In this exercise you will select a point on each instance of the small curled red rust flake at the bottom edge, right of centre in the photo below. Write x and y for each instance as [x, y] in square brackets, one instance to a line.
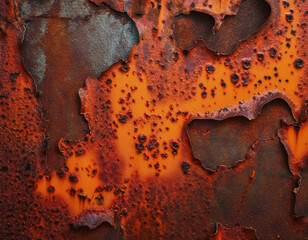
[236, 233]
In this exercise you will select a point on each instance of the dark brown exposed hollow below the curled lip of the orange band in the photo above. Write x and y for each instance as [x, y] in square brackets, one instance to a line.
[215, 143]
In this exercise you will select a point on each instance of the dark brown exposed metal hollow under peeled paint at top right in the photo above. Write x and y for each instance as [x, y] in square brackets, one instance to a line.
[250, 17]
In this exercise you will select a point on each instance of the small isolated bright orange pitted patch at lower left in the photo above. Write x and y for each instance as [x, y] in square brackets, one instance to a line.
[85, 194]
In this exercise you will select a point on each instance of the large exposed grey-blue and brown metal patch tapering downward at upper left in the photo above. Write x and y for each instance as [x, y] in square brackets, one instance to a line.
[64, 43]
